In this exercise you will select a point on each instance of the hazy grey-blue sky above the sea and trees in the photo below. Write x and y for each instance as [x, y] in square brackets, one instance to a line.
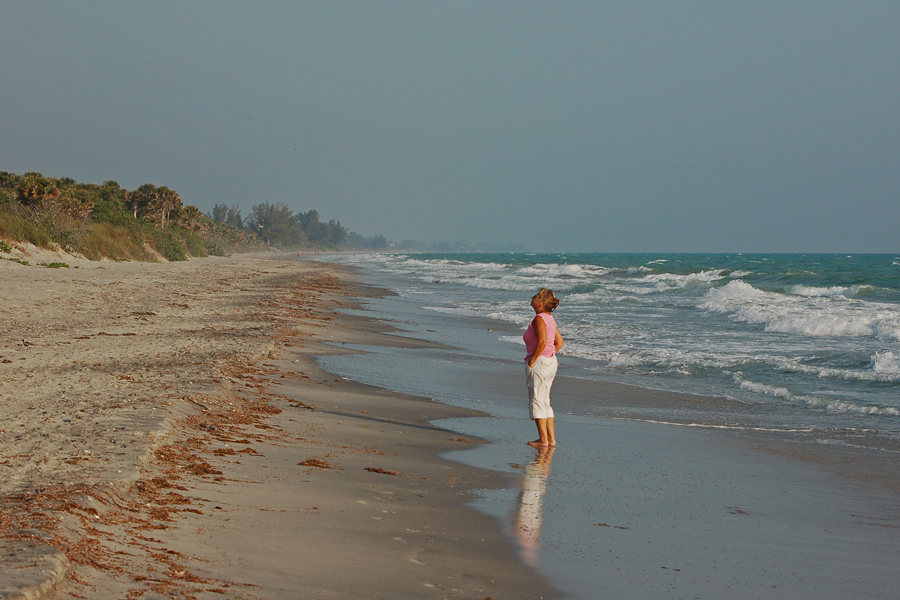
[608, 126]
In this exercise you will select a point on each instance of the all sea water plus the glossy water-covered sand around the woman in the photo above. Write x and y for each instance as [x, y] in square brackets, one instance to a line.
[677, 369]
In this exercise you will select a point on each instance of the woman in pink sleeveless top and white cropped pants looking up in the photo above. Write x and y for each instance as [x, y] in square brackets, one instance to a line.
[542, 342]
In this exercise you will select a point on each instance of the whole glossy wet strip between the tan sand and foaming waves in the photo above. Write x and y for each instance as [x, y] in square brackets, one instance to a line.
[644, 509]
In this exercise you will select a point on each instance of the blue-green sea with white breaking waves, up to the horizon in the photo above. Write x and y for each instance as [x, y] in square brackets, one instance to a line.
[805, 342]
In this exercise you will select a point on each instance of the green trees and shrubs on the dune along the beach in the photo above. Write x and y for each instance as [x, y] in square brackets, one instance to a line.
[108, 221]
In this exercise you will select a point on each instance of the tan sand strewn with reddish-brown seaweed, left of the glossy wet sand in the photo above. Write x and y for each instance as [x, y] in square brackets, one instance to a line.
[165, 432]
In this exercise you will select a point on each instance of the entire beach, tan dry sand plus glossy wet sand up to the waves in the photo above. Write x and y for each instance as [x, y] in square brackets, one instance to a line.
[263, 427]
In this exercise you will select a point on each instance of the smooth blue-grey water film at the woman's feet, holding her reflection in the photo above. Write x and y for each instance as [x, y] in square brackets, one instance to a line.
[633, 510]
